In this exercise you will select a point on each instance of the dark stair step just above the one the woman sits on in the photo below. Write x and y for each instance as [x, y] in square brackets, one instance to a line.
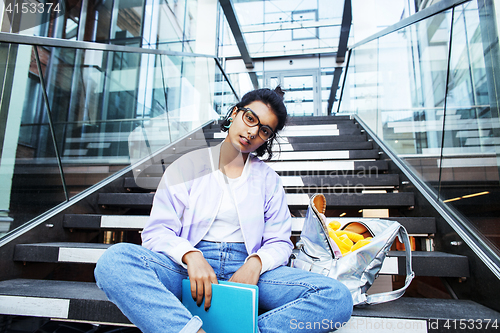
[424, 263]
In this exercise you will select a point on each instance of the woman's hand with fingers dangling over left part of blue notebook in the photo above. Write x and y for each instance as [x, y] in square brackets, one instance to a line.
[201, 276]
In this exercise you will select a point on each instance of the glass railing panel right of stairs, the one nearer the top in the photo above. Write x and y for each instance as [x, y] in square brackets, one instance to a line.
[397, 87]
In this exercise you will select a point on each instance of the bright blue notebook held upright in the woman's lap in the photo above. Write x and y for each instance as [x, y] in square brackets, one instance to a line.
[234, 307]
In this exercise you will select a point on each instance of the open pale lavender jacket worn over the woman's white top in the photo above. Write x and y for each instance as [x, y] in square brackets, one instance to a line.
[188, 199]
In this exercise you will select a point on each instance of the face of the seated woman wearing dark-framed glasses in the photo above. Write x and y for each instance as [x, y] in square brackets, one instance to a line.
[245, 138]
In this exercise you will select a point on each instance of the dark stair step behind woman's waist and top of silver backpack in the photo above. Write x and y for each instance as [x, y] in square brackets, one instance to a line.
[413, 225]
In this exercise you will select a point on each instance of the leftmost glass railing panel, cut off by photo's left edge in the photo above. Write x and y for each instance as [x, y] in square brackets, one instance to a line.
[29, 174]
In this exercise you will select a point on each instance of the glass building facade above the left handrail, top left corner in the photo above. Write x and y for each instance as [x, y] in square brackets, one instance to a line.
[175, 25]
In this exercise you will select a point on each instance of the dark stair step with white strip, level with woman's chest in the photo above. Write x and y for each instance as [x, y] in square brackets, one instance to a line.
[324, 181]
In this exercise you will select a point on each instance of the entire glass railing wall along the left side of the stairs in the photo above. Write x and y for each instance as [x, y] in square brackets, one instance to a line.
[104, 111]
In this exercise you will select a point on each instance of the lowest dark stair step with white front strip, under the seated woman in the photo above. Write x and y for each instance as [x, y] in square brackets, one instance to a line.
[84, 301]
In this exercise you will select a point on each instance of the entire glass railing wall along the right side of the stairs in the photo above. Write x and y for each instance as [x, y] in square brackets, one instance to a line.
[429, 92]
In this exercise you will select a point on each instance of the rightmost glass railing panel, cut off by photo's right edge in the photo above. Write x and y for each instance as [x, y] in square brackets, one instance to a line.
[469, 167]
